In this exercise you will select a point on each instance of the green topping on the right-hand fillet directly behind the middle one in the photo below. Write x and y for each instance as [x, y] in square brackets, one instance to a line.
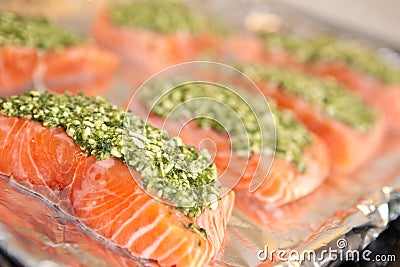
[327, 95]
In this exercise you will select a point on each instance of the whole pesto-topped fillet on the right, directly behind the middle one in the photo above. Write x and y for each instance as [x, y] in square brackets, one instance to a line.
[327, 109]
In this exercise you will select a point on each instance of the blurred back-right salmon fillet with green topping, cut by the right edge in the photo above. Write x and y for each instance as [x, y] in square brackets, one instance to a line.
[350, 63]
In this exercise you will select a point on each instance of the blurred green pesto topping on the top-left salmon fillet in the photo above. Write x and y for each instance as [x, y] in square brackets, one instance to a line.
[34, 32]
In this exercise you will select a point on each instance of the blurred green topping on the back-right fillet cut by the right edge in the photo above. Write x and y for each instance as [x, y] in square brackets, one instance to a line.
[359, 56]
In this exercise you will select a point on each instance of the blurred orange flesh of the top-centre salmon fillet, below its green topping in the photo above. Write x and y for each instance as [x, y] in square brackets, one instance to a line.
[143, 52]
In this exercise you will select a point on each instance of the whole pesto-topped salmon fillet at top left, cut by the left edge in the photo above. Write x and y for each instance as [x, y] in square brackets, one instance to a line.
[59, 63]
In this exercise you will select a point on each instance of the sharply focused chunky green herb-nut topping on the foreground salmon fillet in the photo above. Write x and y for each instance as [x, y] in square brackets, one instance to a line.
[172, 170]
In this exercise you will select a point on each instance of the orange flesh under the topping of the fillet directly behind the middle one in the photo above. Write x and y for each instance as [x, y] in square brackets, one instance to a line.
[348, 148]
